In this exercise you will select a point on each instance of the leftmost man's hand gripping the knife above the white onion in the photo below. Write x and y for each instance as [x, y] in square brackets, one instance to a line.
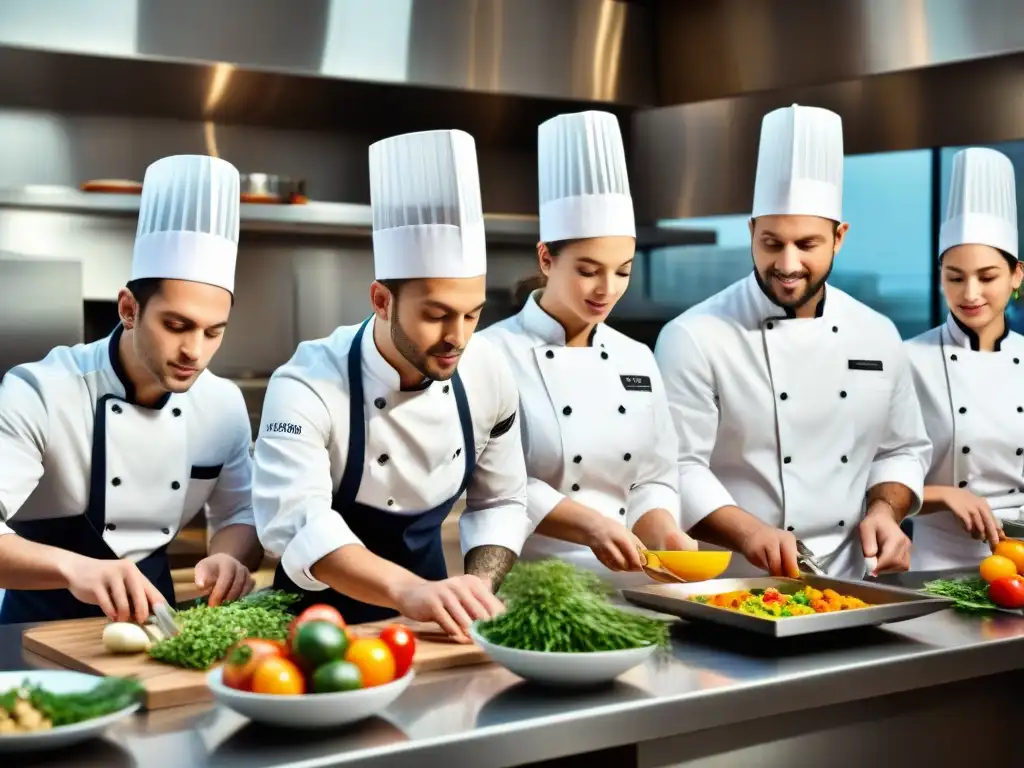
[118, 587]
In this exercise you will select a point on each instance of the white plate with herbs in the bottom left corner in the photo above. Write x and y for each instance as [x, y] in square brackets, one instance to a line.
[58, 682]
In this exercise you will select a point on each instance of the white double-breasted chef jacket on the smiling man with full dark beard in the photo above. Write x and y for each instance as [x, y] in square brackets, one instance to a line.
[792, 420]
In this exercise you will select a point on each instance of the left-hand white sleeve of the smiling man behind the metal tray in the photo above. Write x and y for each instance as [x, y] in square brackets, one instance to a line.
[690, 388]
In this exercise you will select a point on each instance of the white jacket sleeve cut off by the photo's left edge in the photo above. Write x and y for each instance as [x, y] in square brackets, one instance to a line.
[24, 433]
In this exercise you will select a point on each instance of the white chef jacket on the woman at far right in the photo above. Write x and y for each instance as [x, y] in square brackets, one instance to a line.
[973, 404]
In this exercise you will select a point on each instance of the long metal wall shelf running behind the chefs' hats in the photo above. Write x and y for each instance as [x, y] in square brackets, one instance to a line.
[340, 220]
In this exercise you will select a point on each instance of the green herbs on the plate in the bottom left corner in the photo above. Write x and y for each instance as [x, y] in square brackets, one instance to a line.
[110, 696]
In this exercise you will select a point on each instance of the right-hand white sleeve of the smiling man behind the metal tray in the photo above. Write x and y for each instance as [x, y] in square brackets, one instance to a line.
[906, 451]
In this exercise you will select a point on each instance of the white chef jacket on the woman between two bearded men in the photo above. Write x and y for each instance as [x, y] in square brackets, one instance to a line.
[596, 429]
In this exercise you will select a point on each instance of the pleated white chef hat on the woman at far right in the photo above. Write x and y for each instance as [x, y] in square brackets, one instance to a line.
[983, 205]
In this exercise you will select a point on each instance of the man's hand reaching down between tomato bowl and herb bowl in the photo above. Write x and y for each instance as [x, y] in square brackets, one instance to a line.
[454, 604]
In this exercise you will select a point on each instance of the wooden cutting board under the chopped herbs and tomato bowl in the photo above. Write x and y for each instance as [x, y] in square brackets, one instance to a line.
[78, 646]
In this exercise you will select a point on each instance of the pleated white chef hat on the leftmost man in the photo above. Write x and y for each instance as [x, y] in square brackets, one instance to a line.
[189, 222]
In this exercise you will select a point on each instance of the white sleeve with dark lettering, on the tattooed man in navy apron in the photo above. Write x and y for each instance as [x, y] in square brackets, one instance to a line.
[292, 486]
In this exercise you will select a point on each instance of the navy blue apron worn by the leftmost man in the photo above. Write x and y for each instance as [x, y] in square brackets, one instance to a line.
[82, 534]
